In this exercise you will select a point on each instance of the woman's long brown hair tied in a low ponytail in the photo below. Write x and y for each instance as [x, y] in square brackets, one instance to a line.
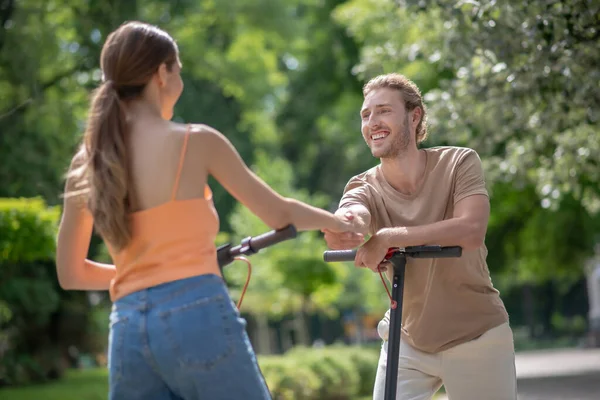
[130, 57]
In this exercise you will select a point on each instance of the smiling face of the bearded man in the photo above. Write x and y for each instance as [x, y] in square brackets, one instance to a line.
[385, 123]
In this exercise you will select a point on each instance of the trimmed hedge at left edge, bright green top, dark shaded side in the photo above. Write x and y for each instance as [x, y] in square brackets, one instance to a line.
[35, 314]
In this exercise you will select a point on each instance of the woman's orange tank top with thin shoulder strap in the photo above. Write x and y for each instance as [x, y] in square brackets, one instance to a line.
[172, 241]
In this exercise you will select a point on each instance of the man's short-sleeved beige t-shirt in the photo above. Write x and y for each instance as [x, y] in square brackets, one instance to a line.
[447, 301]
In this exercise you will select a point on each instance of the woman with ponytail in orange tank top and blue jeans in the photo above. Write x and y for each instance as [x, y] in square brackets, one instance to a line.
[142, 181]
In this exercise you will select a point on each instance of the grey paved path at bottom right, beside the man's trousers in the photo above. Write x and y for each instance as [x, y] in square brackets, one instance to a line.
[565, 374]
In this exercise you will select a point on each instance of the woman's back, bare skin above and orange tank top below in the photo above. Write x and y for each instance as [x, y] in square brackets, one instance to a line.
[173, 220]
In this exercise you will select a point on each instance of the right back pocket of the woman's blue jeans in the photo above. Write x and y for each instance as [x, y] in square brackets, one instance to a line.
[200, 334]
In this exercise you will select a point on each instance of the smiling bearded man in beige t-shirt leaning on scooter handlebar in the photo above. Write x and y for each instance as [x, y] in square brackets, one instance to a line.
[455, 327]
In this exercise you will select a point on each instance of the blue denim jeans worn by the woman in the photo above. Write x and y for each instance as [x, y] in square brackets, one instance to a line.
[182, 340]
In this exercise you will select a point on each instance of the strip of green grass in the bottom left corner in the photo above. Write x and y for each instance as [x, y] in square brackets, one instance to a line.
[87, 384]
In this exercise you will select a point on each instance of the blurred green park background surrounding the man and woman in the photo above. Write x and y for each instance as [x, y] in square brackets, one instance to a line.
[517, 81]
